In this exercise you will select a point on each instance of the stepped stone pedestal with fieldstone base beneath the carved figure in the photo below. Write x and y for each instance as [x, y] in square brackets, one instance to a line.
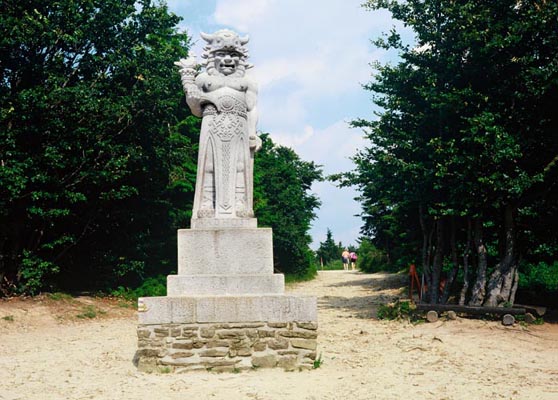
[226, 309]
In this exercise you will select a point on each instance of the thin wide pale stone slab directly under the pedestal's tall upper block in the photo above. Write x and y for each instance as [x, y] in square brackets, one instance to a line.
[194, 285]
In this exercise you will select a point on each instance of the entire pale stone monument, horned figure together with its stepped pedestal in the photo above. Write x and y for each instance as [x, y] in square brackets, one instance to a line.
[225, 287]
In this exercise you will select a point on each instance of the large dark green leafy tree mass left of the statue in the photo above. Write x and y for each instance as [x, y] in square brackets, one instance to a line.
[90, 117]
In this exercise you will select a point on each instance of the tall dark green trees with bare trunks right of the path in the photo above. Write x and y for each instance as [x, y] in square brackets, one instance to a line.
[464, 146]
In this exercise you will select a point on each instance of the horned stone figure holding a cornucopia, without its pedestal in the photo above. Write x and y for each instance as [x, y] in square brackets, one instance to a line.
[226, 99]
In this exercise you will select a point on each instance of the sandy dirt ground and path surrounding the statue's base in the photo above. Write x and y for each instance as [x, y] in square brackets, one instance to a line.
[47, 354]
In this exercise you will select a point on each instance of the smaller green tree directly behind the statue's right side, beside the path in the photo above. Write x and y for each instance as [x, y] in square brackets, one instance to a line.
[283, 201]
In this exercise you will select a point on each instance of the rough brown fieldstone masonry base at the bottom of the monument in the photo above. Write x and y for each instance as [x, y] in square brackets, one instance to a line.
[226, 346]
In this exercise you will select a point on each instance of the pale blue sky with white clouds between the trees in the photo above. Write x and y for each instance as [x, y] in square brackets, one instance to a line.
[310, 60]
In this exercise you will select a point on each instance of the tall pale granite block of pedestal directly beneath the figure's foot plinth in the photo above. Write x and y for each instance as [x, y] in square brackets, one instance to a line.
[225, 251]
